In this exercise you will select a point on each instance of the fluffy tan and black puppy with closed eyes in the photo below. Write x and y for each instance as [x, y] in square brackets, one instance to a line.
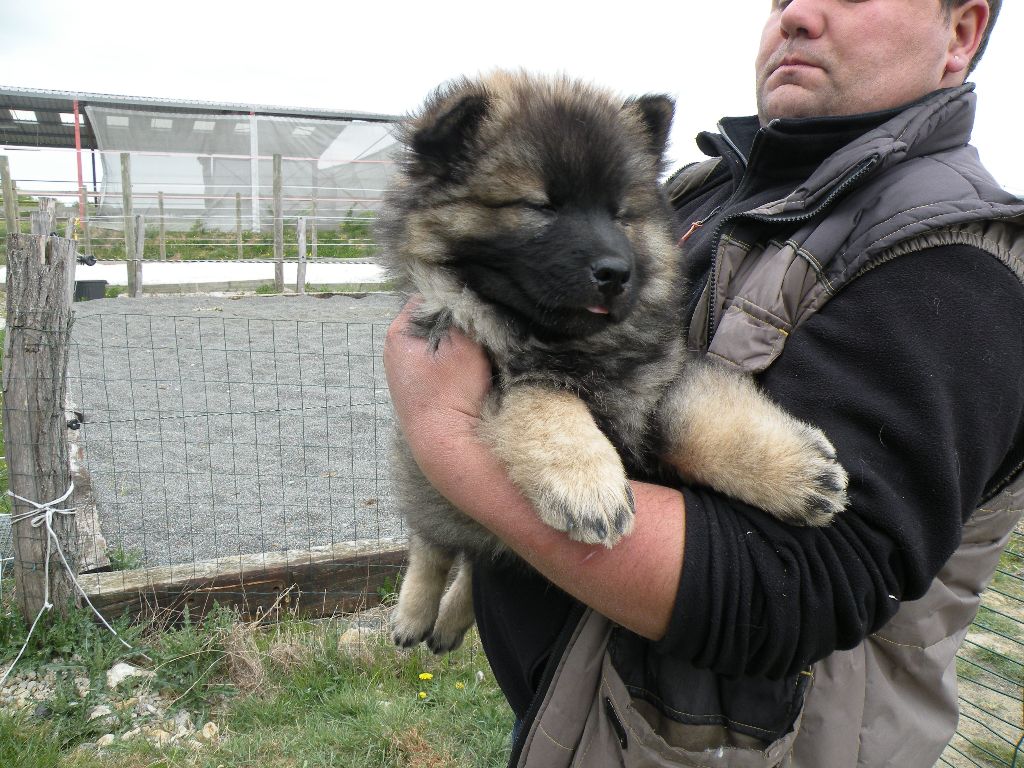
[529, 215]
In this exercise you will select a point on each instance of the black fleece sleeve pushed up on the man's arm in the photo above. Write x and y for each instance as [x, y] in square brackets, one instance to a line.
[916, 372]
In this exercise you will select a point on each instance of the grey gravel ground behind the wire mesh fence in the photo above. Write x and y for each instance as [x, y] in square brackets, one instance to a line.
[221, 425]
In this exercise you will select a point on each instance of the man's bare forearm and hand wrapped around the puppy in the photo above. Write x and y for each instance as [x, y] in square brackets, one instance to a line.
[438, 400]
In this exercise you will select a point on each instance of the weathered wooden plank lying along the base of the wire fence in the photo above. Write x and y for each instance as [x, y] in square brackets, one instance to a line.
[324, 581]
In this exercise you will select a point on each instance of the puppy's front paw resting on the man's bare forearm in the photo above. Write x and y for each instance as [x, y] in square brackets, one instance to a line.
[592, 509]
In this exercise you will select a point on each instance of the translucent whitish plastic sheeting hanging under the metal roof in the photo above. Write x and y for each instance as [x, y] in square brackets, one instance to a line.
[333, 169]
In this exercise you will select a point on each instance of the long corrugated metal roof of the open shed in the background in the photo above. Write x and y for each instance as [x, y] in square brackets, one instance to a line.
[47, 118]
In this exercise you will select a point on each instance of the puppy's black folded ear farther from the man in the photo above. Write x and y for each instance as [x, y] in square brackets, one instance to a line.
[442, 144]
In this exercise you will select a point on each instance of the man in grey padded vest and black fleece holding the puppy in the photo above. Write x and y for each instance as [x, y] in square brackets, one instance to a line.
[856, 257]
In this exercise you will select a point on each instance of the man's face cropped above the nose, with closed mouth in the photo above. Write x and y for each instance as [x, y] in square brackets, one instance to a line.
[823, 58]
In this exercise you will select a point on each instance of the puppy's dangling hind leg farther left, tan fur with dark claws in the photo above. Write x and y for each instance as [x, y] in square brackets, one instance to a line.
[421, 592]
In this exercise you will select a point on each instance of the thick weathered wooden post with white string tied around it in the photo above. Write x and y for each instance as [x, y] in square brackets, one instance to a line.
[40, 281]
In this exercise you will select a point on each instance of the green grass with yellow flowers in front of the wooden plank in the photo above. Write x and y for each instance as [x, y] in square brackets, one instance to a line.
[288, 694]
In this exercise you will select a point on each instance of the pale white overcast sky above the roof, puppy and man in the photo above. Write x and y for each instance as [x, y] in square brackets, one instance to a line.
[386, 58]
